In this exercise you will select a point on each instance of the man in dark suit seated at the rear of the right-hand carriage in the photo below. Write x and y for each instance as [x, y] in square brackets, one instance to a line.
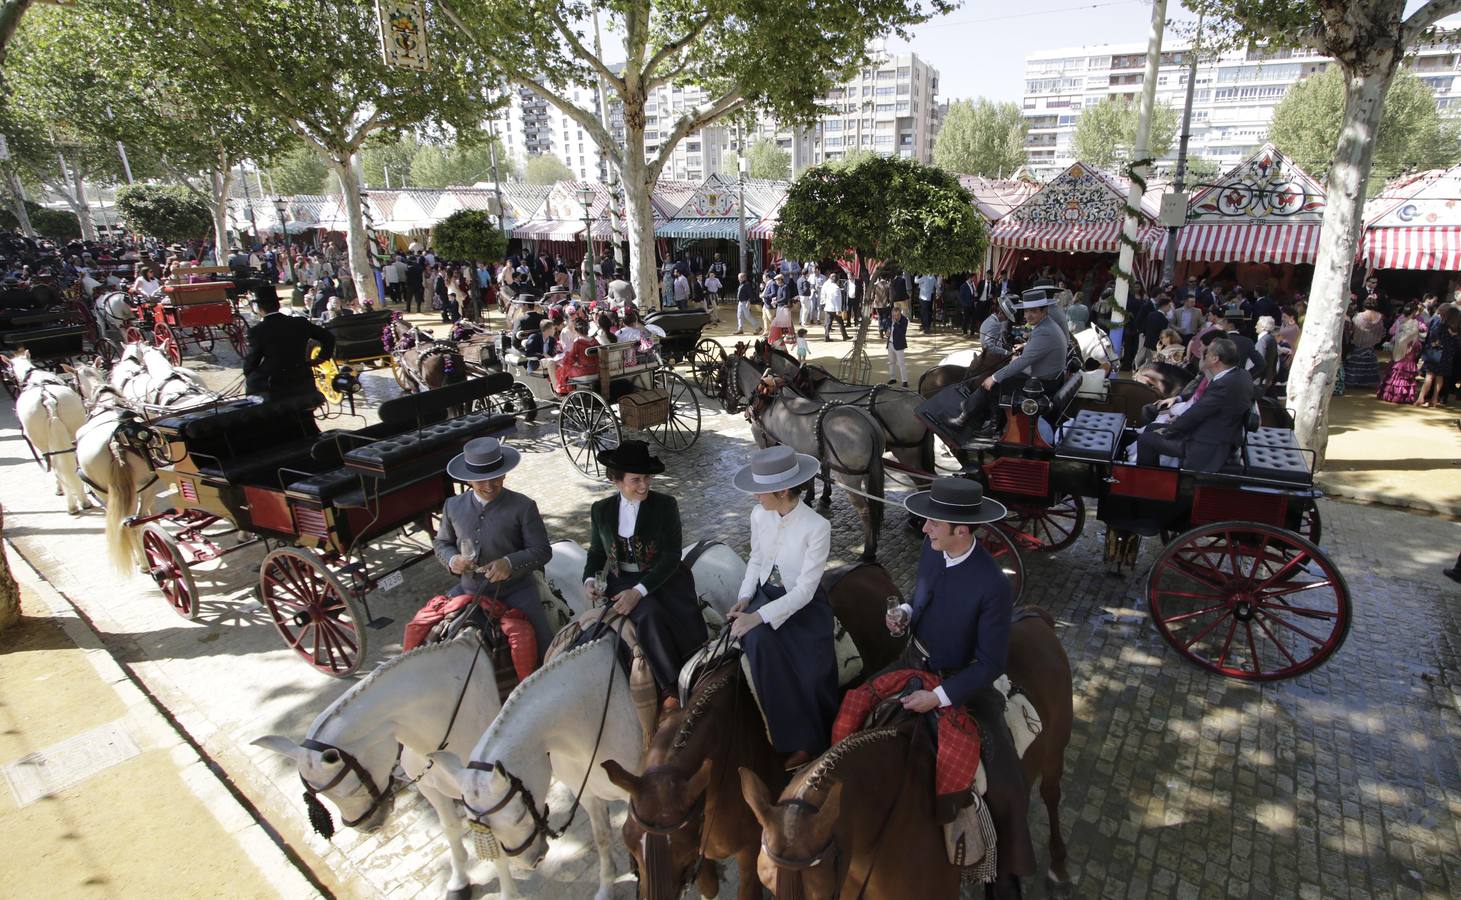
[1206, 435]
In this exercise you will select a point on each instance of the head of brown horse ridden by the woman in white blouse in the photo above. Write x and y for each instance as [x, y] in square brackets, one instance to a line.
[665, 823]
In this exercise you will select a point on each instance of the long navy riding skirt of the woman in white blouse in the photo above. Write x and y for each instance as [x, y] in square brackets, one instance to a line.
[796, 673]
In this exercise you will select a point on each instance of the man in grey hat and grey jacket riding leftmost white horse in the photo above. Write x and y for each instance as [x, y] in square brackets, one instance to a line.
[495, 538]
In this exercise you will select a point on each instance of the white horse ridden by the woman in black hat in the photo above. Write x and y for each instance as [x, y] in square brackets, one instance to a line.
[560, 724]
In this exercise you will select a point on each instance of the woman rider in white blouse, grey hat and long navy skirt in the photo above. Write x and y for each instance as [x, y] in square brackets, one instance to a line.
[784, 617]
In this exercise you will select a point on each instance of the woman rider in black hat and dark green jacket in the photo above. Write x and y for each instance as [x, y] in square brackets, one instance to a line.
[636, 546]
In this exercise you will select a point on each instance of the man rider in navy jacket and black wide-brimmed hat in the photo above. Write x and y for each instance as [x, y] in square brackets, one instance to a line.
[961, 620]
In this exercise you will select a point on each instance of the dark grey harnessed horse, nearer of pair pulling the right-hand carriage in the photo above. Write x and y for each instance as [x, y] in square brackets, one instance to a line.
[845, 439]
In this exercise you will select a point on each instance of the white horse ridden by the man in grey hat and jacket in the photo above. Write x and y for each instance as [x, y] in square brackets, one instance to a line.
[407, 703]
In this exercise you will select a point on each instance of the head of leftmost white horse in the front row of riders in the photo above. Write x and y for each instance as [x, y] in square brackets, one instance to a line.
[356, 778]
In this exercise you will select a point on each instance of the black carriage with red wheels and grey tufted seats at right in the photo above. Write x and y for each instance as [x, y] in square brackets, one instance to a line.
[1241, 587]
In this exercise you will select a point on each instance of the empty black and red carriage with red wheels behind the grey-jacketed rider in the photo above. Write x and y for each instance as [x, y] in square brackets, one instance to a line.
[315, 500]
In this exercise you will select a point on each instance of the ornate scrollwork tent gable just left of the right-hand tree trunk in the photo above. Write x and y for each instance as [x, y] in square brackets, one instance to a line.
[1267, 186]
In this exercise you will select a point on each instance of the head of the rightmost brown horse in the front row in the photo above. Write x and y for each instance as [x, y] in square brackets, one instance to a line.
[798, 858]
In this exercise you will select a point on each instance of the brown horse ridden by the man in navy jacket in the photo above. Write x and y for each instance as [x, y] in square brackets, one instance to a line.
[882, 841]
